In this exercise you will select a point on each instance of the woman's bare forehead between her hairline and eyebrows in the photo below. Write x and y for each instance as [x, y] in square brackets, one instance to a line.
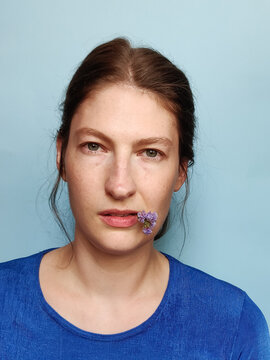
[125, 111]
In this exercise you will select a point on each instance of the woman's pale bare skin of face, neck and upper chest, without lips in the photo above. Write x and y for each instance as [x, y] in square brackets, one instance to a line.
[116, 279]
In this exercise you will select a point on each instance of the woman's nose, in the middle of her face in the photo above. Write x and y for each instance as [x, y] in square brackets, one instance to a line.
[120, 184]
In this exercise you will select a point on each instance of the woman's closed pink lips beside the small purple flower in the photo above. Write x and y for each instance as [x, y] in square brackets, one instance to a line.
[119, 218]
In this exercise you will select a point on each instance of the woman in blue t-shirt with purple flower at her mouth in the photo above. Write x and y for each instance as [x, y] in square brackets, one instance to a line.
[123, 148]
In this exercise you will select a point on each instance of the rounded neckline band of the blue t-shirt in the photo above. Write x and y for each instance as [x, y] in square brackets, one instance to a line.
[104, 337]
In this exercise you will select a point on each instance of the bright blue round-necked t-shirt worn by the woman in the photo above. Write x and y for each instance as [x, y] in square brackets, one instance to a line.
[199, 318]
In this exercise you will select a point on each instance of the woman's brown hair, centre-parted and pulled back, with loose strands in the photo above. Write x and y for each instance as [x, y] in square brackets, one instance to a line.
[116, 65]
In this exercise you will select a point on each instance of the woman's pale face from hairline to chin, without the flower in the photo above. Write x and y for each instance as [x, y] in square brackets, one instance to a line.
[122, 154]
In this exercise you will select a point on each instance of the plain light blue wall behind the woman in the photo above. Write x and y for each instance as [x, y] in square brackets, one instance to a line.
[223, 46]
